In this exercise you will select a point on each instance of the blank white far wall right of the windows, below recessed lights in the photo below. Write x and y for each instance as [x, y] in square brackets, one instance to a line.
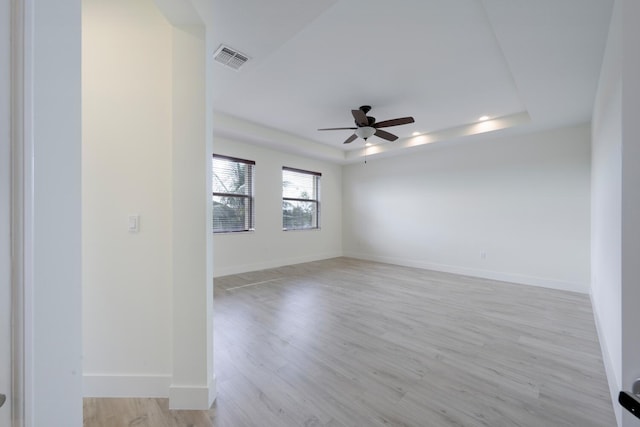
[512, 208]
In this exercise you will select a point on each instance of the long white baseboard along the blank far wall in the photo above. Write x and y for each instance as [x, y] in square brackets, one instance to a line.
[474, 272]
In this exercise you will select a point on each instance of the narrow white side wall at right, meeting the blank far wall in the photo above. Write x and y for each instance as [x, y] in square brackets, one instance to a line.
[606, 208]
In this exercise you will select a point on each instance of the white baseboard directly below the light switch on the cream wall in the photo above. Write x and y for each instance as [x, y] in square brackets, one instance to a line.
[105, 385]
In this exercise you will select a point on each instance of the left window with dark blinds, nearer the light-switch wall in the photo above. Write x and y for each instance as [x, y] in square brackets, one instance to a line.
[232, 194]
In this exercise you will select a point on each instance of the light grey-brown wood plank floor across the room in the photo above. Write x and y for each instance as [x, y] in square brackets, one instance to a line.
[345, 342]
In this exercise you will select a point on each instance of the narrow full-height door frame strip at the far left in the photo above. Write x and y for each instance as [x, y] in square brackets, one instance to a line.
[22, 184]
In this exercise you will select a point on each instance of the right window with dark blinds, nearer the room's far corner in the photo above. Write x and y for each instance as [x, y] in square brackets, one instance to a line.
[300, 199]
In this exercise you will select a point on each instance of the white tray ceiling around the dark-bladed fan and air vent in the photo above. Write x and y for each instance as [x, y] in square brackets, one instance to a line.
[533, 63]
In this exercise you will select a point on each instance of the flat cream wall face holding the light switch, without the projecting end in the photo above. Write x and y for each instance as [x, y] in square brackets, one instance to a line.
[126, 170]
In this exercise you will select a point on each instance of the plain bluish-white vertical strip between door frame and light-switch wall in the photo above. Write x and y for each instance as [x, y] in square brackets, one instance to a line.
[54, 325]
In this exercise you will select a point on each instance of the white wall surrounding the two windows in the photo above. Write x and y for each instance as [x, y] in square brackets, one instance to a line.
[269, 246]
